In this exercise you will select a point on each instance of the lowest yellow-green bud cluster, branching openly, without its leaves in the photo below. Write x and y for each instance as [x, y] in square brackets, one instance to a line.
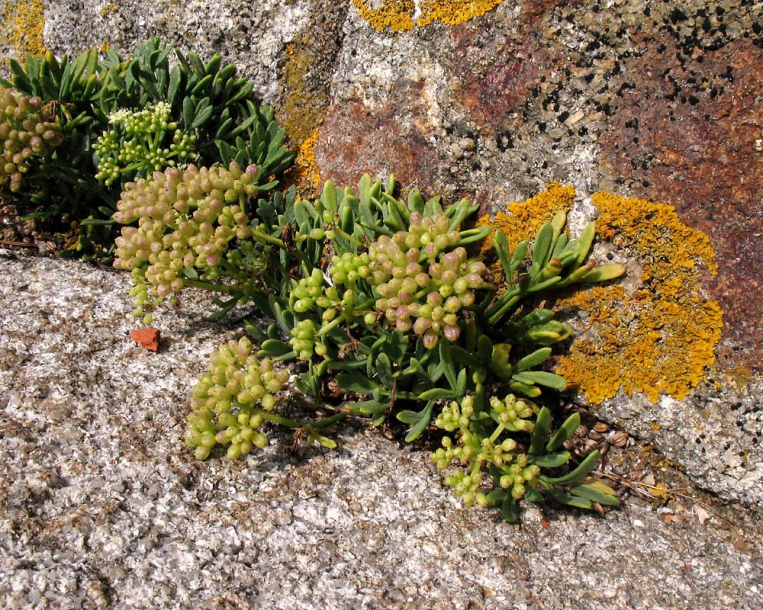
[475, 450]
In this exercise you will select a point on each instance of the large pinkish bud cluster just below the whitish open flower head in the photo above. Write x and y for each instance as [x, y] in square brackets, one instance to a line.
[185, 220]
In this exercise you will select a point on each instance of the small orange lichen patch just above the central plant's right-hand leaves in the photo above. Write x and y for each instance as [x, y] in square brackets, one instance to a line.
[522, 220]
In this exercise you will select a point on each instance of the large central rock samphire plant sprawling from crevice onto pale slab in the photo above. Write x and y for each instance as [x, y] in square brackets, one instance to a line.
[385, 308]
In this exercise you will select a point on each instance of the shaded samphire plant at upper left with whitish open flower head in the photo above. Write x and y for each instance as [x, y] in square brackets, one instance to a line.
[111, 121]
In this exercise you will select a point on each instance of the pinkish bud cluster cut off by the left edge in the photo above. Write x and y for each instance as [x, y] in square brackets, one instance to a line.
[27, 130]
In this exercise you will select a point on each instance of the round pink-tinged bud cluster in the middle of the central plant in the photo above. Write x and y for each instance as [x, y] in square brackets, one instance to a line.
[424, 279]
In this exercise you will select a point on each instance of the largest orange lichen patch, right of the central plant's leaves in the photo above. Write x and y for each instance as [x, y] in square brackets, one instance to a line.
[661, 338]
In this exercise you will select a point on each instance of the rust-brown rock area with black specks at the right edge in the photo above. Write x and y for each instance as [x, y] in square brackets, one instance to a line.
[694, 140]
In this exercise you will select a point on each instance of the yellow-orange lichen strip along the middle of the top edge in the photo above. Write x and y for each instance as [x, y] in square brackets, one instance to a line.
[397, 15]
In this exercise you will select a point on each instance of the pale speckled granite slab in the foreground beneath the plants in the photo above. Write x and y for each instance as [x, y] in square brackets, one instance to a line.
[101, 506]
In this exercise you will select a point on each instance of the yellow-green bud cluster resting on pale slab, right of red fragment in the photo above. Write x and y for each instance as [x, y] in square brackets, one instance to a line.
[228, 402]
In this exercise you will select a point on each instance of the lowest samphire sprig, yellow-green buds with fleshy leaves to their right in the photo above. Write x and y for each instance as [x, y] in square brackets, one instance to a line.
[485, 443]
